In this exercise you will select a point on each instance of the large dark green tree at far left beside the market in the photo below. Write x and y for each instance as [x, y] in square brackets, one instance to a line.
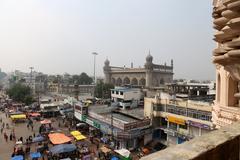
[21, 93]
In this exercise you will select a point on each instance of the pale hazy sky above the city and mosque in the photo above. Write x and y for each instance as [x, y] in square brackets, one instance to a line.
[57, 36]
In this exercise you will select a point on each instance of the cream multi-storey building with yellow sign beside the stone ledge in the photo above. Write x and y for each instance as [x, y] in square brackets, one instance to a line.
[176, 120]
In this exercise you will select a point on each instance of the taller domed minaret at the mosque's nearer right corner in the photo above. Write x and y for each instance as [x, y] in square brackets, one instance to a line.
[149, 70]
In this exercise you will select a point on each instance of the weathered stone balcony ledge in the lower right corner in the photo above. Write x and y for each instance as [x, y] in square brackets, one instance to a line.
[222, 144]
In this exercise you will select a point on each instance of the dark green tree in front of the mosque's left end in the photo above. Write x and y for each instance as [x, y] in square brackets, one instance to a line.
[103, 90]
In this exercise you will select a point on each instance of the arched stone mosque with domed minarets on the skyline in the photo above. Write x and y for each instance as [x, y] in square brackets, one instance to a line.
[152, 75]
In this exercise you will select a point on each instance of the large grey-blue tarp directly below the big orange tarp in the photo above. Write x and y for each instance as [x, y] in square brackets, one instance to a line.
[63, 148]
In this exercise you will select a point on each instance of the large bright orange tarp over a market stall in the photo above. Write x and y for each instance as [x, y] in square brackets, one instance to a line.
[58, 138]
